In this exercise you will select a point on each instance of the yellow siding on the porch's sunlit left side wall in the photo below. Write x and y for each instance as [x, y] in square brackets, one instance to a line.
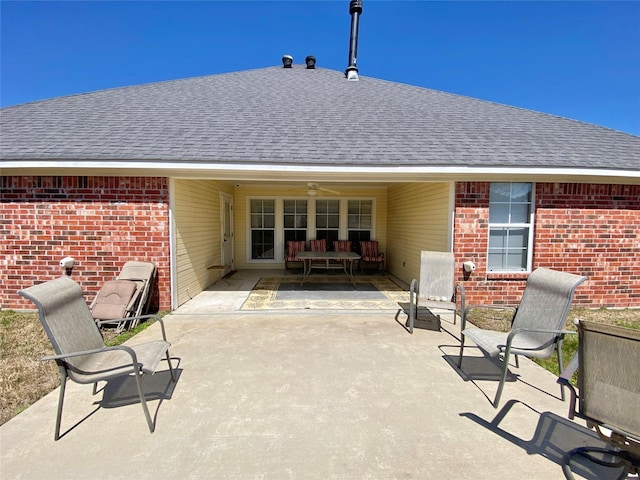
[196, 214]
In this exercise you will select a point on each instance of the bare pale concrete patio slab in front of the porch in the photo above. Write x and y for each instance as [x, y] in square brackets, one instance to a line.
[306, 394]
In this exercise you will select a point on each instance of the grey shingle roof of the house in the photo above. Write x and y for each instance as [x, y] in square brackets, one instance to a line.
[277, 116]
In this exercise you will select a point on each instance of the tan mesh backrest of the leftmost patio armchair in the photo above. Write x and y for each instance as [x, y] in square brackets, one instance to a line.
[65, 316]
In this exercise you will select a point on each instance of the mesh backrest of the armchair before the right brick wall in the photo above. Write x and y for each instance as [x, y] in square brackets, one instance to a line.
[545, 304]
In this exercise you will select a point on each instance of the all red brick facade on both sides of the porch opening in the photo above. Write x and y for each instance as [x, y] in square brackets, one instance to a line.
[587, 229]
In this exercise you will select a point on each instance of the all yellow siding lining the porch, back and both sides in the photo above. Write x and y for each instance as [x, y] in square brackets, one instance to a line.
[409, 218]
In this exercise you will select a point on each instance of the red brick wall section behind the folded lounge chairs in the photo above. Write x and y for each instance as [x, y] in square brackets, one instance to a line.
[101, 222]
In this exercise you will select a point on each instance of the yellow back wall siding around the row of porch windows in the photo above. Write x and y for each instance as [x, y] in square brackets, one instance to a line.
[243, 193]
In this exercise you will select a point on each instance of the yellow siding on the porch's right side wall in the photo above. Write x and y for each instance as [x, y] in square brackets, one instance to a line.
[419, 216]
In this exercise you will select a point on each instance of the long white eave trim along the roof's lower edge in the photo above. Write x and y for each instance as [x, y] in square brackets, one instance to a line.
[351, 174]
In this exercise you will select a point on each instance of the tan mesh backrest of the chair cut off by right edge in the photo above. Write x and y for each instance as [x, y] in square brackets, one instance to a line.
[608, 380]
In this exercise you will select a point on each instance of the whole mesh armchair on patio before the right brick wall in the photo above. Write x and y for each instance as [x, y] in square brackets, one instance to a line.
[537, 327]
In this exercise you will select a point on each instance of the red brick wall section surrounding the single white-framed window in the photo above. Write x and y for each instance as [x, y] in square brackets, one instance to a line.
[587, 229]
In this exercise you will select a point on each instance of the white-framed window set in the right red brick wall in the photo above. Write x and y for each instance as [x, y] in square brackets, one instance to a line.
[510, 227]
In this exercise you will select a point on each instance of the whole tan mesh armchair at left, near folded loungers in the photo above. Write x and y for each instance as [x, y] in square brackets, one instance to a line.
[79, 349]
